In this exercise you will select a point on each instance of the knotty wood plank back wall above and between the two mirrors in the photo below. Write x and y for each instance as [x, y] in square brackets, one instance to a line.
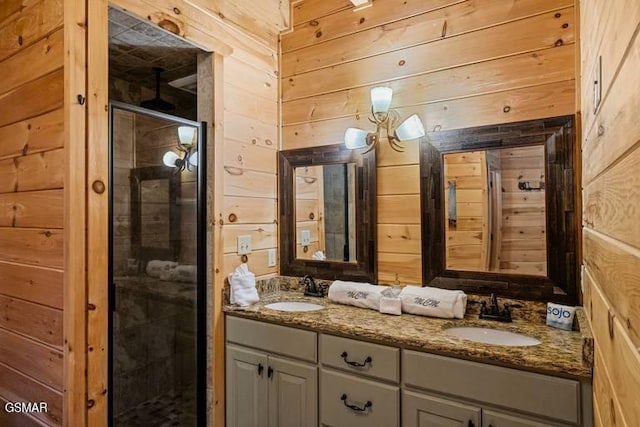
[456, 63]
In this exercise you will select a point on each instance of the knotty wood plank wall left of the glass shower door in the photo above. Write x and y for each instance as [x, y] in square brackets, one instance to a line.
[32, 172]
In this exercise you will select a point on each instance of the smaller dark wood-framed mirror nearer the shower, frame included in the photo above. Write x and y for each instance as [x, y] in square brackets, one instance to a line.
[327, 213]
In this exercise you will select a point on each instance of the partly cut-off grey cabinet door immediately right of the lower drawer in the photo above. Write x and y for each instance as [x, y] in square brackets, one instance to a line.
[422, 410]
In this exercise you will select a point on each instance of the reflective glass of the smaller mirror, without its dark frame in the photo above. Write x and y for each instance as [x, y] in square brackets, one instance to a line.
[325, 212]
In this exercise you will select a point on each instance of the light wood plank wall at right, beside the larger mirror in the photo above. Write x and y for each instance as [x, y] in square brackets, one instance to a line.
[611, 205]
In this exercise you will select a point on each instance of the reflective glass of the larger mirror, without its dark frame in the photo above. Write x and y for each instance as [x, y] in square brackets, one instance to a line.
[495, 211]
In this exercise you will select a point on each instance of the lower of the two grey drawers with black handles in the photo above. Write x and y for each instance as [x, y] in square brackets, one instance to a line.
[337, 390]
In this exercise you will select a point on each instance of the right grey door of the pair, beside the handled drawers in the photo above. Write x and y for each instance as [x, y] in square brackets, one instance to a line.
[293, 393]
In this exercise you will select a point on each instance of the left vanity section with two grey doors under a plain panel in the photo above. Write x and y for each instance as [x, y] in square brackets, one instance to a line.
[264, 387]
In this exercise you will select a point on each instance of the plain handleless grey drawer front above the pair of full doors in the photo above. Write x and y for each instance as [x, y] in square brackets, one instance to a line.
[273, 338]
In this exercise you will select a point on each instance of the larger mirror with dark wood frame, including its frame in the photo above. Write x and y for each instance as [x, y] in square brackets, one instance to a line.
[499, 210]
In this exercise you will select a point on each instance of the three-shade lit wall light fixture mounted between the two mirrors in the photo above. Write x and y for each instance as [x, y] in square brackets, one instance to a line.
[385, 118]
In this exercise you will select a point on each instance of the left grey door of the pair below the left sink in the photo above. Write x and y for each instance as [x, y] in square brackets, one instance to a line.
[246, 387]
